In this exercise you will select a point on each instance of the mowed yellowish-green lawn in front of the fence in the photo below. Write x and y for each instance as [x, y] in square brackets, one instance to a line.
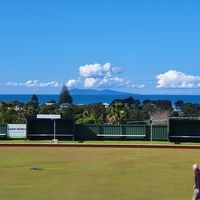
[96, 174]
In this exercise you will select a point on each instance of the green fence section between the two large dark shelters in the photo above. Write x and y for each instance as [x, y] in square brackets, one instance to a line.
[142, 132]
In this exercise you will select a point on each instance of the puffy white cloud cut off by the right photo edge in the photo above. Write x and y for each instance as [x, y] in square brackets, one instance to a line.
[175, 79]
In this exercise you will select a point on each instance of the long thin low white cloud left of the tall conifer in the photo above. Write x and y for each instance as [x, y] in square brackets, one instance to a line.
[35, 83]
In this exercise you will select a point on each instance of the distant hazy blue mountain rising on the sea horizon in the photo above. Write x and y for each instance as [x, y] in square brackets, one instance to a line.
[96, 92]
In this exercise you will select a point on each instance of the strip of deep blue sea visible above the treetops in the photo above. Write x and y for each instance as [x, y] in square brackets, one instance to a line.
[89, 99]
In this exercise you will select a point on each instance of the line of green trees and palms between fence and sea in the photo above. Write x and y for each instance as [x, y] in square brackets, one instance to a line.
[120, 111]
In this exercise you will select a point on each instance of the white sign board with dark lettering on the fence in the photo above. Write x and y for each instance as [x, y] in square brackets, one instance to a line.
[16, 130]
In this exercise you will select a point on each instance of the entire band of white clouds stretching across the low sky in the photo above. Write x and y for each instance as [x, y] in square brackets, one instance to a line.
[106, 76]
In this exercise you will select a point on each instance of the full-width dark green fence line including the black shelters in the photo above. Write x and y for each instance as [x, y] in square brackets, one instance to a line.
[177, 130]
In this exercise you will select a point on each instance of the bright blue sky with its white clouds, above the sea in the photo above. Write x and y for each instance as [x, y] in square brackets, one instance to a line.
[147, 47]
